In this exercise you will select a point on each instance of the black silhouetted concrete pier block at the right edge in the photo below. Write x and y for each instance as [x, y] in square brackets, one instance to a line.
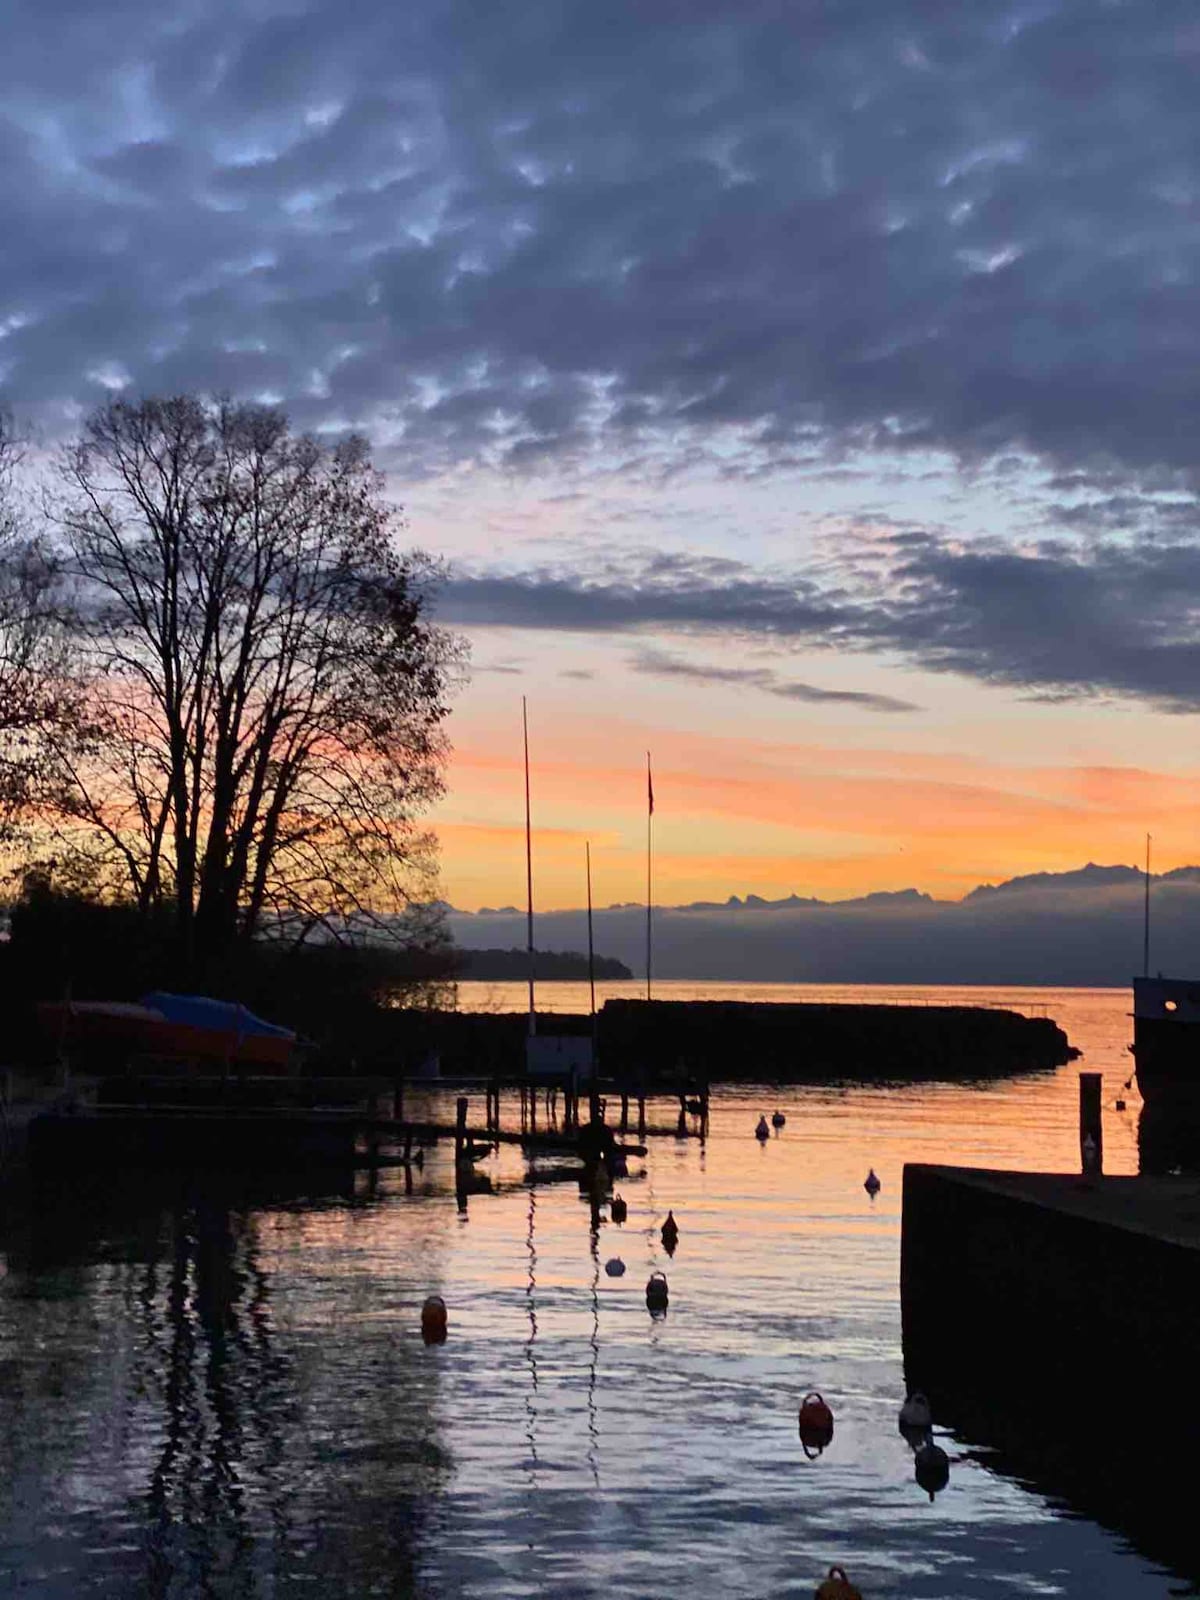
[1054, 1321]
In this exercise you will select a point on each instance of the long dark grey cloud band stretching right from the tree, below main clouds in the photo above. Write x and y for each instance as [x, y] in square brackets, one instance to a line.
[1054, 620]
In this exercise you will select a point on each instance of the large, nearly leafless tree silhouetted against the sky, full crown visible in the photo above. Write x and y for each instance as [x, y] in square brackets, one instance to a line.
[266, 690]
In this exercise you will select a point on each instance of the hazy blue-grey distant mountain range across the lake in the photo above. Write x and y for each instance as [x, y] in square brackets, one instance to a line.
[1082, 927]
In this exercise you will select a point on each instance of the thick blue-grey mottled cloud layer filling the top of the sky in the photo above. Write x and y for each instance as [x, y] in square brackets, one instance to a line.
[516, 233]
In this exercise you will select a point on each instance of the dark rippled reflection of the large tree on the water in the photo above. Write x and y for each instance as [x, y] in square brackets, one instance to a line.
[194, 1439]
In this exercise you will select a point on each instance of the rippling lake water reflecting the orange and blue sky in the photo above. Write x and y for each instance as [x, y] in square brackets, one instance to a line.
[215, 1393]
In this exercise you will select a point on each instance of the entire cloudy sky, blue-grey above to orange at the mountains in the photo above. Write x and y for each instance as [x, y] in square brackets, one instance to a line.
[802, 391]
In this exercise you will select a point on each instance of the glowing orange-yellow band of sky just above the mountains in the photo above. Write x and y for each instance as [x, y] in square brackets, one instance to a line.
[942, 825]
